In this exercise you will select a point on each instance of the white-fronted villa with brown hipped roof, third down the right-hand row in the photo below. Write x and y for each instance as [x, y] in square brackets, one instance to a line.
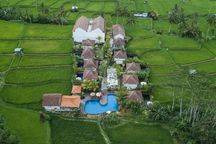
[120, 56]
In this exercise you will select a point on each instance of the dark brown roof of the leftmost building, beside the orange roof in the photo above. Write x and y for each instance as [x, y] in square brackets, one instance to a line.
[52, 99]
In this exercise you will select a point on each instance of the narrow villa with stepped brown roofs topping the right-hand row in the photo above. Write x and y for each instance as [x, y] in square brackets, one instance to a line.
[118, 37]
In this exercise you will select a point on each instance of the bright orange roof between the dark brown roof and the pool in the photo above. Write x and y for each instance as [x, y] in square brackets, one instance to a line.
[70, 101]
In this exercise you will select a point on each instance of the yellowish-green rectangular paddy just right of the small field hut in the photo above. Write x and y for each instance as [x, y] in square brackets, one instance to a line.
[46, 46]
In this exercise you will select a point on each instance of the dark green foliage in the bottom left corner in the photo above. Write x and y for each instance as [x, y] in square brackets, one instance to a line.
[5, 136]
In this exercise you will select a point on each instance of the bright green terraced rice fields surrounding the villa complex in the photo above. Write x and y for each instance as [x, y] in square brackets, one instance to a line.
[47, 65]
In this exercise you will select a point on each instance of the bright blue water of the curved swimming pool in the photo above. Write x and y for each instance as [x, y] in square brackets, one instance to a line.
[94, 107]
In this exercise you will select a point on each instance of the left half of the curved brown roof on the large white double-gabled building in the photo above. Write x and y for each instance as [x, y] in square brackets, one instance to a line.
[82, 23]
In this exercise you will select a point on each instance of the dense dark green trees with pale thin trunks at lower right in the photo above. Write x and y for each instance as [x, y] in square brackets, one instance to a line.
[193, 120]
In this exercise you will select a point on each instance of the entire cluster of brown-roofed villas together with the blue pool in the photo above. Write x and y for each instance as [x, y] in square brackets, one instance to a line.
[88, 33]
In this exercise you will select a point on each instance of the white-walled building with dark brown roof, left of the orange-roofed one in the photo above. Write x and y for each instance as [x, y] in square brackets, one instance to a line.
[52, 102]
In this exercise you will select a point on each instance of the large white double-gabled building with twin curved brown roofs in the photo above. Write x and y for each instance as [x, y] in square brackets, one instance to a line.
[89, 29]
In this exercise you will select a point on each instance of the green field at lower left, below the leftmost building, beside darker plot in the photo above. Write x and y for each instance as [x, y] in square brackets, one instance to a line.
[26, 125]
